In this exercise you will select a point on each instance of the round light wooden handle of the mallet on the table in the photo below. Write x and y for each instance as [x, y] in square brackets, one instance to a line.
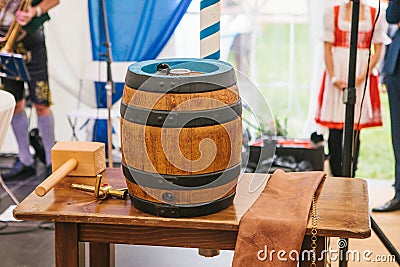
[56, 177]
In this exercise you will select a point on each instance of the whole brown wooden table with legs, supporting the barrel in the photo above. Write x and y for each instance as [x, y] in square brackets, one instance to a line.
[342, 208]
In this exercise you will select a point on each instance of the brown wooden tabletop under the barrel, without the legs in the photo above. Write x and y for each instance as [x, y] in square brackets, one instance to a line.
[342, 207]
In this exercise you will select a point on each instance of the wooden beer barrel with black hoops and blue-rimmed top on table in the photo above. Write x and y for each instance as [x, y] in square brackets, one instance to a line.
[181, 136]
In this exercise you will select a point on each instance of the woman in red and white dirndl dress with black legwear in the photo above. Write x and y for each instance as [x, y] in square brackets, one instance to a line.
[331, 109]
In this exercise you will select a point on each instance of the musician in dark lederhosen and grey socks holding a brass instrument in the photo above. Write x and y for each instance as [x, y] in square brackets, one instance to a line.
[32, 43]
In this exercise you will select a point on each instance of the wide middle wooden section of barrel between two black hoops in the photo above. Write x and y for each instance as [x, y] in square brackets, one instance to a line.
[145, 150]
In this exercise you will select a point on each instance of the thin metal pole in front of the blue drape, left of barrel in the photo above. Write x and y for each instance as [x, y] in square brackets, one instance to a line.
[109, 84]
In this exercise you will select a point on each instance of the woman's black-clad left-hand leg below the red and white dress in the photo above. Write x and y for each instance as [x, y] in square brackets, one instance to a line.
[335, 151]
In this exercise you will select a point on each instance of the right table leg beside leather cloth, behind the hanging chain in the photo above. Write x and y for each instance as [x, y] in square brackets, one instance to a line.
[305, 259]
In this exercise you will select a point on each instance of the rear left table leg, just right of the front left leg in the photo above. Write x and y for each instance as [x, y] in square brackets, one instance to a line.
[102, 254]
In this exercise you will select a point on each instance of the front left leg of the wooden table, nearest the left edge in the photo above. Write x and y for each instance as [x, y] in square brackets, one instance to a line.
[66, 245]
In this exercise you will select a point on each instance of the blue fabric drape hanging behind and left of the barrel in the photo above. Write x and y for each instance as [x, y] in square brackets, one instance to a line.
[138, 31]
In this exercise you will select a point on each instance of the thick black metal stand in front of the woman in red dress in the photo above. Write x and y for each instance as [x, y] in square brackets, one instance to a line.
[349, 98]
